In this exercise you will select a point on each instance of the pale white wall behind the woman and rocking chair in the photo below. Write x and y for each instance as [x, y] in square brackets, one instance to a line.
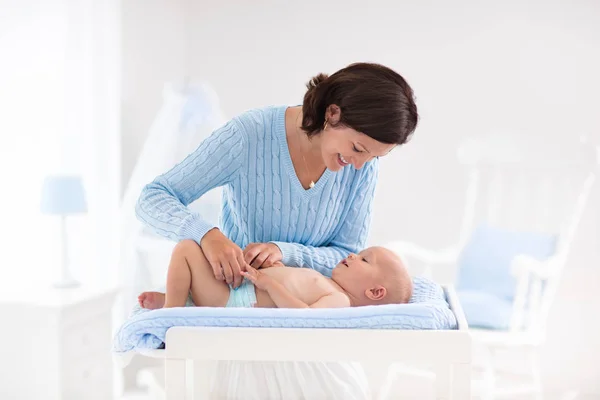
[474, 66]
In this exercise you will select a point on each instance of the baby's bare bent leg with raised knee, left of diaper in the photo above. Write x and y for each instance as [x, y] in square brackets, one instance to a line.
[190, 270]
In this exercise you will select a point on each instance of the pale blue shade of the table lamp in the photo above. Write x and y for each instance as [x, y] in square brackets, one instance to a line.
[63, 195]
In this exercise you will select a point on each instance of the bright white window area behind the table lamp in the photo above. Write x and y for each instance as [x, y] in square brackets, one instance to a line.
[58, 114]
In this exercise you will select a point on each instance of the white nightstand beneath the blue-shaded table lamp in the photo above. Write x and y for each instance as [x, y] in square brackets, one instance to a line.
[56, 344]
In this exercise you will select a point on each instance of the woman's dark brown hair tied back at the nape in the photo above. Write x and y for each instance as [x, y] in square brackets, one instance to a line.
[373, 99]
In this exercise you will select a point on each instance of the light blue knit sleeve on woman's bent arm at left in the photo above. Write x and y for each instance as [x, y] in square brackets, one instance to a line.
[162, 204]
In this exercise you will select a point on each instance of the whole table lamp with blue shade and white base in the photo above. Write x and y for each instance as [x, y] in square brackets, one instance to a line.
[63, 195]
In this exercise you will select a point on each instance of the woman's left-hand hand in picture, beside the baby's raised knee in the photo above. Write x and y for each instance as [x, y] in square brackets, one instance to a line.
[225, 257]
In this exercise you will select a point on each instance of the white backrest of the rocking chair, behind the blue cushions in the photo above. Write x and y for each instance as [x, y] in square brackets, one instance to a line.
[528, 184]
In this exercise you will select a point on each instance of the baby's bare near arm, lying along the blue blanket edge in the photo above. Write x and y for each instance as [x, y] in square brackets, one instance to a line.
[284, 299]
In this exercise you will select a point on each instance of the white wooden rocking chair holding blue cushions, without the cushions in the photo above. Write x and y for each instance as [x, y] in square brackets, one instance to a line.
[527, 186]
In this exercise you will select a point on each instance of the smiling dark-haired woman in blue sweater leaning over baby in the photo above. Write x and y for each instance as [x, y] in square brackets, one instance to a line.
[297, 182]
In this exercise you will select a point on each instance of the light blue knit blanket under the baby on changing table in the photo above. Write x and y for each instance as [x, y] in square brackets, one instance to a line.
[428, 309]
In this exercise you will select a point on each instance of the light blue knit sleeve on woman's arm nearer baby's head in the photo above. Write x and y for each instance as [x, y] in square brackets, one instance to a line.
[350, 237]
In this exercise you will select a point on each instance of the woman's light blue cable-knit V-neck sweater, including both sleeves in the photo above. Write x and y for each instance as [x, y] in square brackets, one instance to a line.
[263, 199]
